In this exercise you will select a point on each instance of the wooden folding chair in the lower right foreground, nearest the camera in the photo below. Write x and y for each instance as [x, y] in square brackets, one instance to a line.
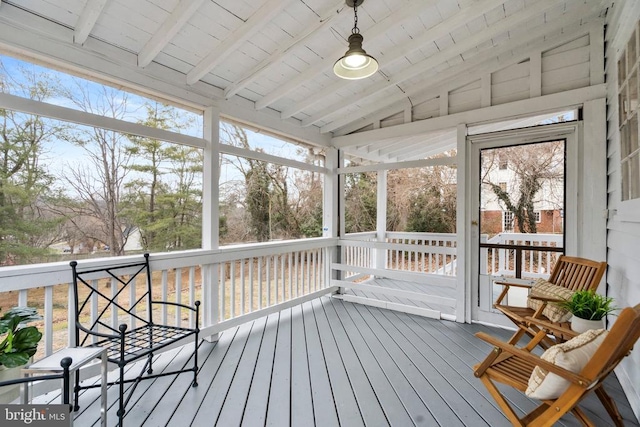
[513, 366]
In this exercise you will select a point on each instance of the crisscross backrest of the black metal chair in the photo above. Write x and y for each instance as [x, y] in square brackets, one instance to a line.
[107, 297]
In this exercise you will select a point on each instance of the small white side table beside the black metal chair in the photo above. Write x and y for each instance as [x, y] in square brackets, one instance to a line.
[80, 356]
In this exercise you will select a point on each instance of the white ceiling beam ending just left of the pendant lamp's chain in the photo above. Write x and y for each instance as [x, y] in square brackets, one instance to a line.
[274, 58]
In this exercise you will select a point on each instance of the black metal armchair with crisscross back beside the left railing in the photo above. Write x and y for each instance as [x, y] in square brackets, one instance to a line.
[137, 336]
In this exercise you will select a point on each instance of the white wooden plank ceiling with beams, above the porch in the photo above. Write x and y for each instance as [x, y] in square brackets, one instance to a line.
[275, 57]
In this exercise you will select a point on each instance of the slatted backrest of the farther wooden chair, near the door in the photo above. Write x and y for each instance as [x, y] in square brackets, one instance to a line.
[577, 274]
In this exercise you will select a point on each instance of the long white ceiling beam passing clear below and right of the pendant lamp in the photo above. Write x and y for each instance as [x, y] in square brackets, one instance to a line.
[517, 19]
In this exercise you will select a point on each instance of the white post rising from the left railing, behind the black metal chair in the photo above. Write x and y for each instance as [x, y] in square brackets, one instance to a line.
[211, 216]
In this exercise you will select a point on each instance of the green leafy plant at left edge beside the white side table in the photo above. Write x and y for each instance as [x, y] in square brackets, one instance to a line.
[19, 342]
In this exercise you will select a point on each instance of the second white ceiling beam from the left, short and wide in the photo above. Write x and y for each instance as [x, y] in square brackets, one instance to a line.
[169, 28]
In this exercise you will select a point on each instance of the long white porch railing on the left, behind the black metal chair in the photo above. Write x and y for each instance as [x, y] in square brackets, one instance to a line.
[235, 284]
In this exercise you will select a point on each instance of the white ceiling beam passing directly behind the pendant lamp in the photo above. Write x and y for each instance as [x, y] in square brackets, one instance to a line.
[405, 12]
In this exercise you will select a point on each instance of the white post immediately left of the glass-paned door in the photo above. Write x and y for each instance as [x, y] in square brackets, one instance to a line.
[463, 227]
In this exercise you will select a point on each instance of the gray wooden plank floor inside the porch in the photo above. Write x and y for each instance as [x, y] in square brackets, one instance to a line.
[331, 363]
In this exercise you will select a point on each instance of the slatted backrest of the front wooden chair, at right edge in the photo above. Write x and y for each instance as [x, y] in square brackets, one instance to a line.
[617, 344]
